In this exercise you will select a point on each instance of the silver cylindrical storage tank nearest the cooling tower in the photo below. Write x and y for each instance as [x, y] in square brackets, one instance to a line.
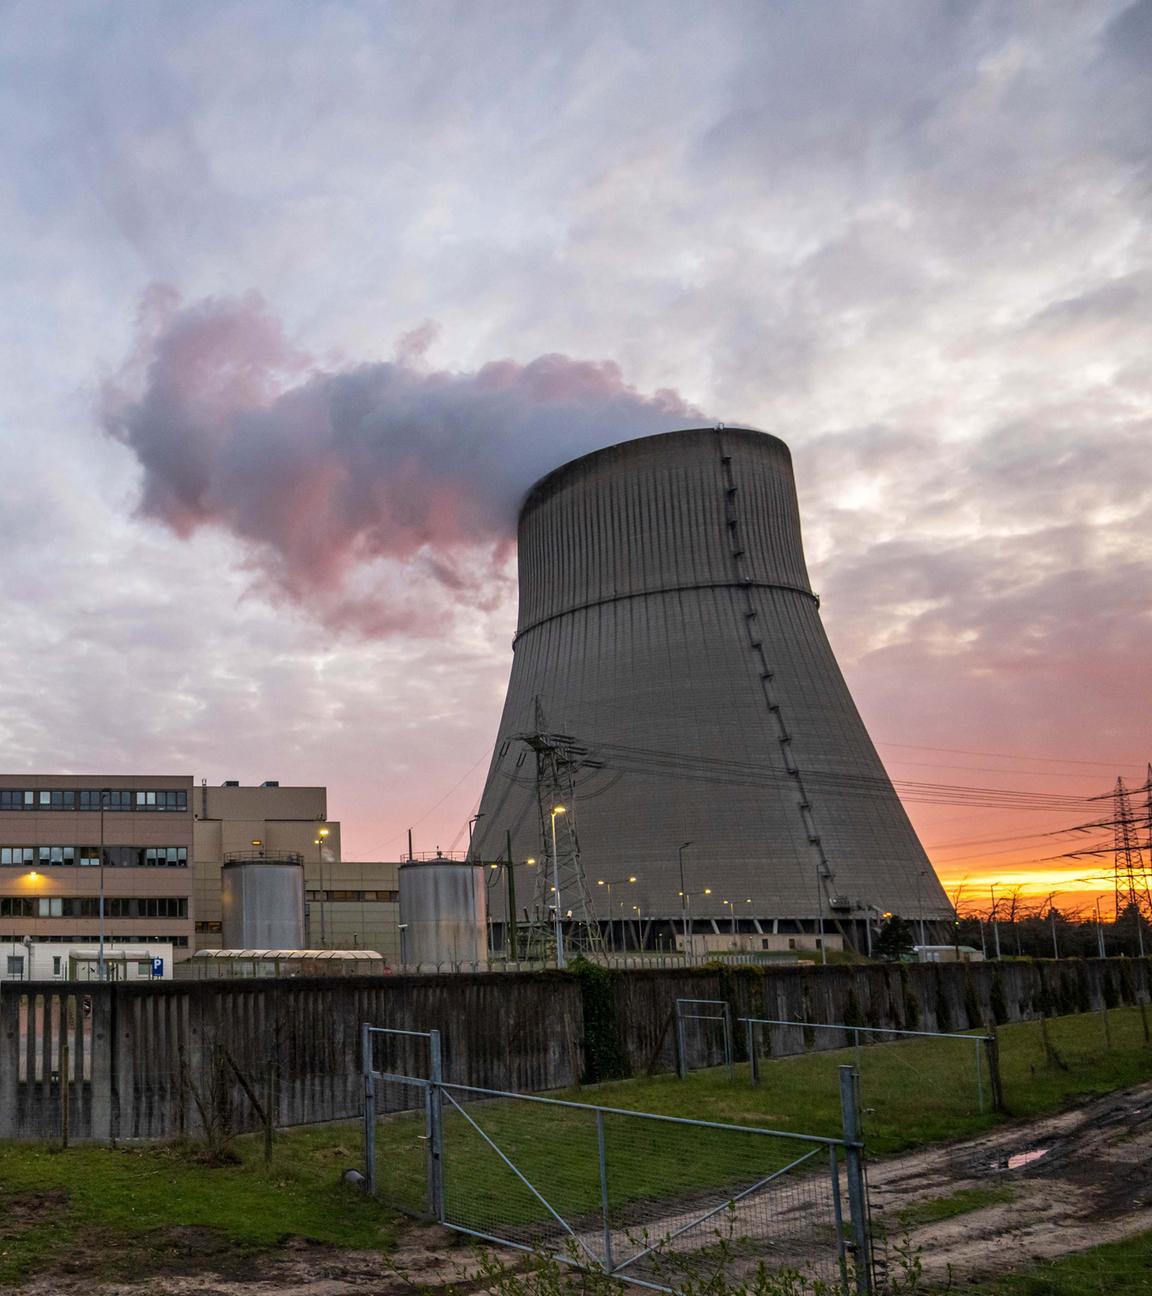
[444, 913]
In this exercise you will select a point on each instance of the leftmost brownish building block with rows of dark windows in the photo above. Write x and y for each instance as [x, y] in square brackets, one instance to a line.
[63, 835]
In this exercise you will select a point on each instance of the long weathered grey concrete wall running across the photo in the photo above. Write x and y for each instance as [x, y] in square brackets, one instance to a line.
[146, 1058]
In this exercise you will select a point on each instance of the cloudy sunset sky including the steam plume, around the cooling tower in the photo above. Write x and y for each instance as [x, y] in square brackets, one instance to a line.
[303, 296]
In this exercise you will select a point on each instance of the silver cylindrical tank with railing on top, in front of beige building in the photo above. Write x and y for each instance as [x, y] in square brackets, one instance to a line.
[262, 904]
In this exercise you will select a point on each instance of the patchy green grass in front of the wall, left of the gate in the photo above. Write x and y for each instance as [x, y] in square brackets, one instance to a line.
[121, 1202]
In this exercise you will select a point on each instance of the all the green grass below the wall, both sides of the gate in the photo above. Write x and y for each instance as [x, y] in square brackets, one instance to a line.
[104, 1210]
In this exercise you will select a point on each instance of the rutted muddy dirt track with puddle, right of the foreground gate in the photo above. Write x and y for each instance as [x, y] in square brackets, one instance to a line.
[1092, 1185]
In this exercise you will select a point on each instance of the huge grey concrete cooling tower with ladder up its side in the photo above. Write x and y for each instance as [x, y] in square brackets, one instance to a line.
[674, 691]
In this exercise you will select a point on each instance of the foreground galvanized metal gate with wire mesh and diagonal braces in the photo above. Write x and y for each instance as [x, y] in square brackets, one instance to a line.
[655, 1201]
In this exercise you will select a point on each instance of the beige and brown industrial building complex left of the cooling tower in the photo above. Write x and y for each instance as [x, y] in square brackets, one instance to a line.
[176, 855]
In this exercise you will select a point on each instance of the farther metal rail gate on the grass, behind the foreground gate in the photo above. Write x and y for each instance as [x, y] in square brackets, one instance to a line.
[947, 1072]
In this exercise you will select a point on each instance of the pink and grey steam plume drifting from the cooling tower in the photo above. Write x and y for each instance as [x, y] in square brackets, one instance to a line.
[352, 487]
